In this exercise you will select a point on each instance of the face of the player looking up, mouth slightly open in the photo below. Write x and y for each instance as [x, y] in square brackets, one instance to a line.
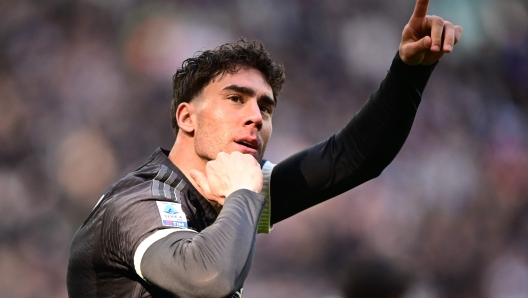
[233, 113]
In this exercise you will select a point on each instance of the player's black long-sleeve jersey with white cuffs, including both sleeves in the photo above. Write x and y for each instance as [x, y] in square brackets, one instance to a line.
[153, 235]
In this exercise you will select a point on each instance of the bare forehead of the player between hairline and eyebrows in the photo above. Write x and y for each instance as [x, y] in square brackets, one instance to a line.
[244, 77]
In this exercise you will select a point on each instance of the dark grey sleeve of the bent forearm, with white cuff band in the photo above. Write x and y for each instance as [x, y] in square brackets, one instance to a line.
[212, 263]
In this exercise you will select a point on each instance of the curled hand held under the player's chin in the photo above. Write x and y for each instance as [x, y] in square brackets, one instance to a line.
[228, 173]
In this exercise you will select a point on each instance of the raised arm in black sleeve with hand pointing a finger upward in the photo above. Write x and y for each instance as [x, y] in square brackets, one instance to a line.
[373, 137]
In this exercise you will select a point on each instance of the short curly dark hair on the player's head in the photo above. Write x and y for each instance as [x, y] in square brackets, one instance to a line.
[197, 72]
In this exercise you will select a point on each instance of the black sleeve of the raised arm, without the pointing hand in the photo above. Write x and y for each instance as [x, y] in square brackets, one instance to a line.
[357, 153]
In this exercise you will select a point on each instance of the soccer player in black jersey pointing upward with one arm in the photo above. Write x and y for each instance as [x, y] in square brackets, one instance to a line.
[184, 224]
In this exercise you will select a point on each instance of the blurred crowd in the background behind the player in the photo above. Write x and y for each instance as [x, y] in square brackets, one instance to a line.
[85, 90]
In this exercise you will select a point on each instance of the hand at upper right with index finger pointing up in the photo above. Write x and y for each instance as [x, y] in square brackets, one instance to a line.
[425, 39]
